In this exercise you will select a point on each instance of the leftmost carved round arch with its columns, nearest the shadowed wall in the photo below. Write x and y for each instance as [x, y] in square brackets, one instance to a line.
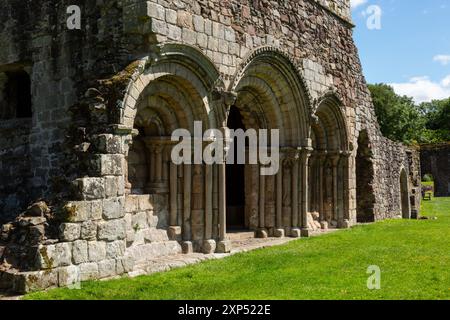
[172, 91]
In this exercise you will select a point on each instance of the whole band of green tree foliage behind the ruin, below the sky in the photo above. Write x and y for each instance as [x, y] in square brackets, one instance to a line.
[404, 121]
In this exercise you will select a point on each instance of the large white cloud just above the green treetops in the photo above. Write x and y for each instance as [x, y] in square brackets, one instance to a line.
[422, 89]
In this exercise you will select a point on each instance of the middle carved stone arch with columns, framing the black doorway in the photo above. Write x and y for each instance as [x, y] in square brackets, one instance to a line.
[271, 94]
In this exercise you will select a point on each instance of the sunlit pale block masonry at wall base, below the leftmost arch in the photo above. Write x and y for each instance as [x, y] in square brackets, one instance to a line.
[102, 240]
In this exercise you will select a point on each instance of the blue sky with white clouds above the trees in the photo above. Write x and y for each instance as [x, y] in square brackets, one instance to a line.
[411, 51]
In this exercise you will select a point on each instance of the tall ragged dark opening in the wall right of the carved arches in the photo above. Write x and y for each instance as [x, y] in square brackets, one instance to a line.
[365, 197]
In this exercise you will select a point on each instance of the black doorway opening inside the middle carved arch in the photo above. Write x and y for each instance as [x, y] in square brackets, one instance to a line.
[235, 179]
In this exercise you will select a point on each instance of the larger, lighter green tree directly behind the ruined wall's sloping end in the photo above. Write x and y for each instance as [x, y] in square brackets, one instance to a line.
[399, 117]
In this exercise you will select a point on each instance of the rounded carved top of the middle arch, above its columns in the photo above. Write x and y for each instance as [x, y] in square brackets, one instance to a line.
[272, 94]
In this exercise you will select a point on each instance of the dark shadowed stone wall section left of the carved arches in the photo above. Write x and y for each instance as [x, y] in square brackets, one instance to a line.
[60, 63]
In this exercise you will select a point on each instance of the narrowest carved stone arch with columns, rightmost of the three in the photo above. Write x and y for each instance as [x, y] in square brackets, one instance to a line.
[329, 164]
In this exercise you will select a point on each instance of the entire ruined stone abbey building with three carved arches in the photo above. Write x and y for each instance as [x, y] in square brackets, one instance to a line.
[87, 186]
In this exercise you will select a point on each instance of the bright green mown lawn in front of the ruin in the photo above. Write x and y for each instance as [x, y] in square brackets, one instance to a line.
[413, 257]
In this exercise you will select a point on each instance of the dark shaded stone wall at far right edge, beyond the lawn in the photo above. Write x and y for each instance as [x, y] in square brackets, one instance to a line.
[435, 160]
